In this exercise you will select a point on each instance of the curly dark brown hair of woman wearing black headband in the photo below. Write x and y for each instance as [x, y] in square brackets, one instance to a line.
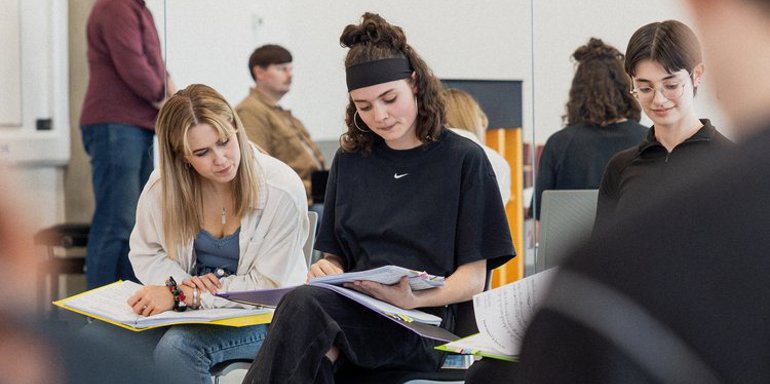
[376, 39]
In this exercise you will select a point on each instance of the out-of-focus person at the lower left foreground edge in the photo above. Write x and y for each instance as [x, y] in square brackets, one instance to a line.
[35, 349]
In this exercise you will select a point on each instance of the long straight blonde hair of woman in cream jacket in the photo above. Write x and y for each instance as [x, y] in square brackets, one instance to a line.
[181, 184]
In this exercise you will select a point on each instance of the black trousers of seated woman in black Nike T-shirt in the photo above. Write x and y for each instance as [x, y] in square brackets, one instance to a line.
[310, 320]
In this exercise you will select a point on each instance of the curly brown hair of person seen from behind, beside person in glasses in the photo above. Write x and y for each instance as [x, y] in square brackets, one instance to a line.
[600, 88]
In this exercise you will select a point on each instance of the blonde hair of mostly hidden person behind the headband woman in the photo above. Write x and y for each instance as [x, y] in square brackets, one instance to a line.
[463, 112]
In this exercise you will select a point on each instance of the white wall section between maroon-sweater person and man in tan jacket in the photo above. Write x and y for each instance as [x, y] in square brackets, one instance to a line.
[209, 42]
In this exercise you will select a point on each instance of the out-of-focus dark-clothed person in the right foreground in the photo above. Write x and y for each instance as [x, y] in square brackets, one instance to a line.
[676, 292]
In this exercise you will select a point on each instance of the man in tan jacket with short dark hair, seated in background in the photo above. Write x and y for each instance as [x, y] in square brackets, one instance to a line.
[271, 127]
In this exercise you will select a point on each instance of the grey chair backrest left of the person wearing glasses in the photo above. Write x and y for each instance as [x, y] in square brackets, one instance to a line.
[566, 219]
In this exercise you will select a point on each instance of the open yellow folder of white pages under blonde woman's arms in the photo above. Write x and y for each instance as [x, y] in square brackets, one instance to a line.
[109, 303]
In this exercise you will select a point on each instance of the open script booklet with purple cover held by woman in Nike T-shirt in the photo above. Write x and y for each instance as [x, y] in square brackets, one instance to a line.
[422, 323]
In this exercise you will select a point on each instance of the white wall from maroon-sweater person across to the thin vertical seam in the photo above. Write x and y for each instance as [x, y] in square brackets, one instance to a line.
[459, 39]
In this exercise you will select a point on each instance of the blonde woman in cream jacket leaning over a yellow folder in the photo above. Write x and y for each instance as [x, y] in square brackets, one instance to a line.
[217, 216]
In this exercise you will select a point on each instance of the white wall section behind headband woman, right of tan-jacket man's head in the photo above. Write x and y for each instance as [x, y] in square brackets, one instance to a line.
[458, 39]
